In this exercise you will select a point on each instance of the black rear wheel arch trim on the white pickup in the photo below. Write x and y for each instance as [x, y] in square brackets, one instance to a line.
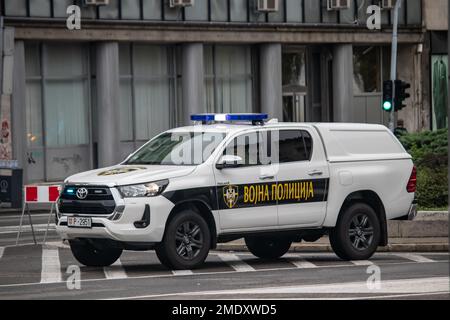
[372, 199]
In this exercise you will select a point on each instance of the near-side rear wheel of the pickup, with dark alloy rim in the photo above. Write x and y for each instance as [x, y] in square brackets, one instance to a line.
[357, 233]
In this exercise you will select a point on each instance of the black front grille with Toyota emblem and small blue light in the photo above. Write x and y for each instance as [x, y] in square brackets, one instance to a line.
[98, 201]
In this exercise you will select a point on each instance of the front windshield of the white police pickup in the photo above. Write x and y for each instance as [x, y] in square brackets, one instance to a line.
[178, 149]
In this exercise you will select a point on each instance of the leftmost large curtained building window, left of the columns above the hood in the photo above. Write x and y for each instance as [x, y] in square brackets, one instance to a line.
[60, 77]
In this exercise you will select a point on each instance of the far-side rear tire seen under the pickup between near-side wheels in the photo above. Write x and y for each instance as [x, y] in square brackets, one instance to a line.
[268, 248]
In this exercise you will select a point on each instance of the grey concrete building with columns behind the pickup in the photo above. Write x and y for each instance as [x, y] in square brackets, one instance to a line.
[79, 99]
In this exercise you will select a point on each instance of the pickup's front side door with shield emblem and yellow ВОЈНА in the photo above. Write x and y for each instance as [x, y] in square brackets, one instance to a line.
[244, 193]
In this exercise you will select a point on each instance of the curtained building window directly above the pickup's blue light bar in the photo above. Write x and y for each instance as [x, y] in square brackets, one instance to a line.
[228, 78]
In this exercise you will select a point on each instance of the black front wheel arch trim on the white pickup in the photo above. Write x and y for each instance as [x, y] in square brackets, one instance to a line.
[201, 208]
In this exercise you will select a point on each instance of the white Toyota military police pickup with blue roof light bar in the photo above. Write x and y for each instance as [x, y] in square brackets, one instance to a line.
[233, 176]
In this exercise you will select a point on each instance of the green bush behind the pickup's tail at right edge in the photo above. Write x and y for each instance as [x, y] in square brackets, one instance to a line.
[430, 154]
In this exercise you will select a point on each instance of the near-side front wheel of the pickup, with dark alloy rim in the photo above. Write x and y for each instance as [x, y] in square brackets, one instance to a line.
[186, 242]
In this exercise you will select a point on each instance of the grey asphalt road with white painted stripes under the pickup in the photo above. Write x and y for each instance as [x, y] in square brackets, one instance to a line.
[40, 272]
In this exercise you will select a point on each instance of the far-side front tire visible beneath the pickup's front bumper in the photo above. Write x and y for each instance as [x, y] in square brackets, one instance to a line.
[91, 256]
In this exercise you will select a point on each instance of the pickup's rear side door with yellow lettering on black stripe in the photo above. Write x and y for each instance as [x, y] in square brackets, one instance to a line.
[302, 179]
